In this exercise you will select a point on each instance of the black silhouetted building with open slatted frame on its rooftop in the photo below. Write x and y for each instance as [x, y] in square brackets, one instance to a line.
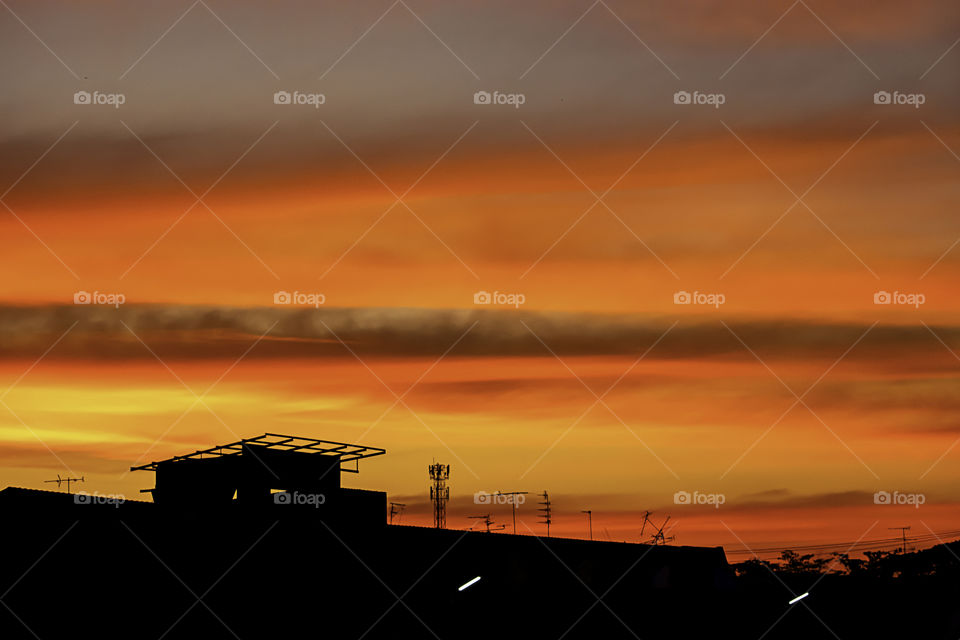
[264, 520]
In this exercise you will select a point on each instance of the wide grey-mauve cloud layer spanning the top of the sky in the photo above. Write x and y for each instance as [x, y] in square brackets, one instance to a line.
[798, 74]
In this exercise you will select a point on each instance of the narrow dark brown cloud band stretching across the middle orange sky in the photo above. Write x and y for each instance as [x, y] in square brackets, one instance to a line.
[201, 332]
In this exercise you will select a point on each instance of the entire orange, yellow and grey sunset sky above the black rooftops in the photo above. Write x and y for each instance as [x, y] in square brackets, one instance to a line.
[809, 221]
